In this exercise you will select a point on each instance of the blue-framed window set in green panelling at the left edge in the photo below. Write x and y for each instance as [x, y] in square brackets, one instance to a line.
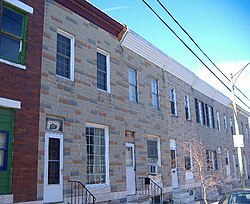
[3, 150]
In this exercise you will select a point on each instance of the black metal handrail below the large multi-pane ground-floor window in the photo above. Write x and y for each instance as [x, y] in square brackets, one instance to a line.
[79, 194]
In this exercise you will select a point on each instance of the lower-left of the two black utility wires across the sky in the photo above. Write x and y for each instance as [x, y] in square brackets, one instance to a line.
[189, 48]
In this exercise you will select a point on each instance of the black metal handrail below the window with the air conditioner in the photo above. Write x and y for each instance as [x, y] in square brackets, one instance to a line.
[152, 189]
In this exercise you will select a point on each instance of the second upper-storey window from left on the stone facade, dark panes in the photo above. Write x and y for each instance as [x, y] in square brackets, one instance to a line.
[103, 70]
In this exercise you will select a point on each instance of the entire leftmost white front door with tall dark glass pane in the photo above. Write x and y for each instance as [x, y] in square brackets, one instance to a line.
[53, 168]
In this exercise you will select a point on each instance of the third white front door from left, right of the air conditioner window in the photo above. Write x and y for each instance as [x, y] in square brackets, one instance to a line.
[174, 164]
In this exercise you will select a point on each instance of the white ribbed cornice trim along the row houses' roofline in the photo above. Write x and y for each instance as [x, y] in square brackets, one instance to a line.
[140, 46]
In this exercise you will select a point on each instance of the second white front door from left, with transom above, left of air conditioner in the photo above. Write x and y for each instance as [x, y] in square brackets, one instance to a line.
[130, 168]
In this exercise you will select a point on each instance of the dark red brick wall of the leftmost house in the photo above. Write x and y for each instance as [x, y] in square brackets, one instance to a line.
[24, 85]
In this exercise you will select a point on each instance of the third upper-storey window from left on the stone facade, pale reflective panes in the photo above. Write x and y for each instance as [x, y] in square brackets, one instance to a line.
[132, 80]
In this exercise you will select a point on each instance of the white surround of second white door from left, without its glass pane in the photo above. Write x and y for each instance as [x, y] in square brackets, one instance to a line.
[130, 171]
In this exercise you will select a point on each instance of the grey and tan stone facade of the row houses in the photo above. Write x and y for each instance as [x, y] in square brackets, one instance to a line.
[79, 103]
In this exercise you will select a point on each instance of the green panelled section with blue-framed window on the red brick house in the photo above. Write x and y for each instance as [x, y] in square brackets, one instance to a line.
[6, 137]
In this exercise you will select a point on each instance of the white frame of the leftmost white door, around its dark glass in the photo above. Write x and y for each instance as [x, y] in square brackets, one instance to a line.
[53, 192]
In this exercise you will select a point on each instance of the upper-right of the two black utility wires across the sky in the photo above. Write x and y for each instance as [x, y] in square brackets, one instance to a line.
[198, 46]
